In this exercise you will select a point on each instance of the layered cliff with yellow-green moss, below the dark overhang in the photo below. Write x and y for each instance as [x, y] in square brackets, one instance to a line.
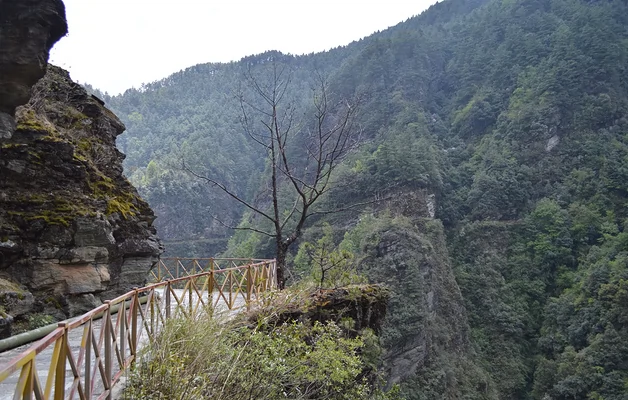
[73, 231]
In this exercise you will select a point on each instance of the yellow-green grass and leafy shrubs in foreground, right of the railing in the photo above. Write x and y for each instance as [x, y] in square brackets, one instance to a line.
[209, 358]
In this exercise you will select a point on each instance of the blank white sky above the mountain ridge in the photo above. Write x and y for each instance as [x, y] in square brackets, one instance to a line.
[117, 44]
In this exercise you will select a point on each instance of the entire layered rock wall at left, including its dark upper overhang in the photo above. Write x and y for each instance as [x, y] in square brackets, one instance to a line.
[54, 147]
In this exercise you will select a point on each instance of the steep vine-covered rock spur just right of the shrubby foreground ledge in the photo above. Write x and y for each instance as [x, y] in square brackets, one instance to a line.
[426, 332]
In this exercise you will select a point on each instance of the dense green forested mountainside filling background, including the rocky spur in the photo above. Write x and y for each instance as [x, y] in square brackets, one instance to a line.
[493, 168]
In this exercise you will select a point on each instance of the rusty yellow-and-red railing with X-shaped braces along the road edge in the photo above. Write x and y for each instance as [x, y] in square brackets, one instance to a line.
[258, 276]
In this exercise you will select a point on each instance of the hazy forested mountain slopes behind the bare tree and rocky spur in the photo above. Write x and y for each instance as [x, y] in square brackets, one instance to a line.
[513, 114]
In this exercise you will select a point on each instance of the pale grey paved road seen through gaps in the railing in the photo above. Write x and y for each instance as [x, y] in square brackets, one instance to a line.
[7, 387]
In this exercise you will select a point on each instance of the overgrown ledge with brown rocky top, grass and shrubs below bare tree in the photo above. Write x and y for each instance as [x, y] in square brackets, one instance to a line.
[297, 347]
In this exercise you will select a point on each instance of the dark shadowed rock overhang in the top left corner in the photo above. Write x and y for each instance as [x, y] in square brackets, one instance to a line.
[28, 29]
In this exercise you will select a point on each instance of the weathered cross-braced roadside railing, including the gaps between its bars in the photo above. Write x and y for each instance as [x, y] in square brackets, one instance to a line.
[109, 337]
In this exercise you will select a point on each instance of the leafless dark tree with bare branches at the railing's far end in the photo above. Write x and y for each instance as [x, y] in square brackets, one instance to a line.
[301, 154]
